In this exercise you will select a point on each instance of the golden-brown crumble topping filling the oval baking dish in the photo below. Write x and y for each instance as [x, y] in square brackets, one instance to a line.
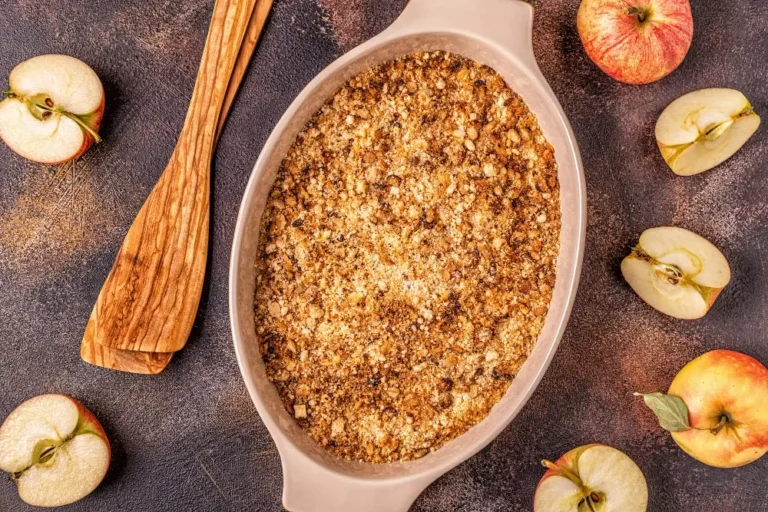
[407, 257]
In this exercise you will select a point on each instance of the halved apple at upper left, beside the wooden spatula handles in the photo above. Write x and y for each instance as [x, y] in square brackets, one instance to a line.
[53, 110]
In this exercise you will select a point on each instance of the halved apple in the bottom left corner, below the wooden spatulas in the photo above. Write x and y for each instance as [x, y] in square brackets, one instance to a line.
[55, 449]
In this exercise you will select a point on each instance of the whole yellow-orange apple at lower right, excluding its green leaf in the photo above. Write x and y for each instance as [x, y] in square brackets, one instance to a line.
[723, 382]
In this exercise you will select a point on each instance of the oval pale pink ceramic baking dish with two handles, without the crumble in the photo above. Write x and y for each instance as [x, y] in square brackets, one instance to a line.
[493, 32]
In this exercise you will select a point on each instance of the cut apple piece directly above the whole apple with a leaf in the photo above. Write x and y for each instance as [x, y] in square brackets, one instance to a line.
[676, 272]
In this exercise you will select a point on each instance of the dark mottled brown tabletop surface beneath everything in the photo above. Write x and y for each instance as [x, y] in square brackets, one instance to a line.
[190, 439]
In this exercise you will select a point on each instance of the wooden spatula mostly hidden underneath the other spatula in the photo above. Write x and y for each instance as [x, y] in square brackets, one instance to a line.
[155, 362]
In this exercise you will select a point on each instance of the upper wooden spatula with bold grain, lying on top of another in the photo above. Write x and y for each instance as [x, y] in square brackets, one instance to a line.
[150, 298]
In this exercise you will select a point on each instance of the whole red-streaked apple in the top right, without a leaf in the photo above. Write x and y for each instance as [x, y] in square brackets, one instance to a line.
[632, 50]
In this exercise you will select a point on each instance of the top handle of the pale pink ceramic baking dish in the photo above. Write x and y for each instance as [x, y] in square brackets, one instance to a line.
[506, 23]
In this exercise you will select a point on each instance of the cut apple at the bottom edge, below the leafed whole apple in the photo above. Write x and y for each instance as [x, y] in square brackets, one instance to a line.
[592, 478]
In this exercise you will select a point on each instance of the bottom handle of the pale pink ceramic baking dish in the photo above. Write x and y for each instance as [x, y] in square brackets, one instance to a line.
[310, 487]
